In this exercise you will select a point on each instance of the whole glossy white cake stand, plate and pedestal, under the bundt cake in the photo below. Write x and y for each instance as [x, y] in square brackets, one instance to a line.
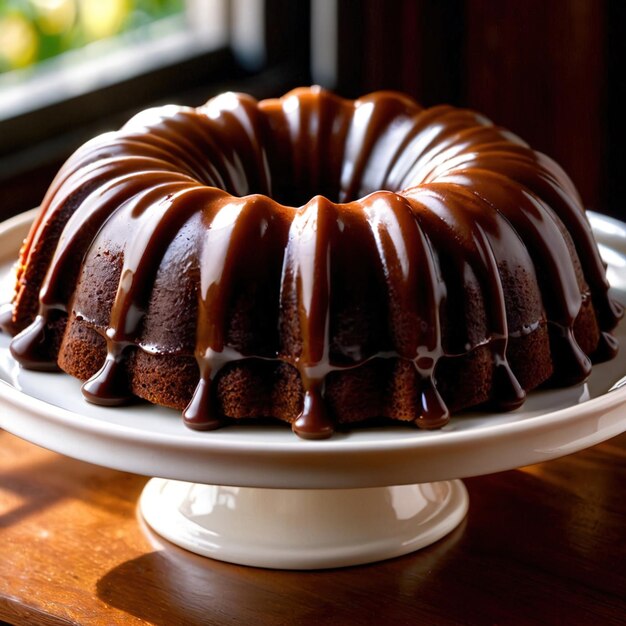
[260, 496]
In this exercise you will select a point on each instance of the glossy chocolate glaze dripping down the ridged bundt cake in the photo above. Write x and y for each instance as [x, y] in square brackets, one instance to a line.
[423, 192]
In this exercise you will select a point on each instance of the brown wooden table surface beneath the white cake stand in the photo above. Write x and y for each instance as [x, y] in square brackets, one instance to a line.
[545, 544]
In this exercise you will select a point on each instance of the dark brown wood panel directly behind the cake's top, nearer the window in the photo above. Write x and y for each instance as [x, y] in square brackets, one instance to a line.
[411, 46]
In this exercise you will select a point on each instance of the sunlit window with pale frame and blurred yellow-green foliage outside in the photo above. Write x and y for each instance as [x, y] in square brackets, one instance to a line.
[119, 50]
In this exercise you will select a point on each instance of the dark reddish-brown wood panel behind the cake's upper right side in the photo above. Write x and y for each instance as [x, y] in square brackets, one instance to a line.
[536, 67]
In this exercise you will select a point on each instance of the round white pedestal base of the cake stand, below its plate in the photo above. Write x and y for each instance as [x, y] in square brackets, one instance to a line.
[302, 529]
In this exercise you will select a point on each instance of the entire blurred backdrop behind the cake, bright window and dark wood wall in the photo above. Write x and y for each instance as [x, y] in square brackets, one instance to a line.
[553, 71]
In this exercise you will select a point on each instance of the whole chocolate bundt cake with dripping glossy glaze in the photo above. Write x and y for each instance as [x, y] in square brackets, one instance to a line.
[312, 259]
